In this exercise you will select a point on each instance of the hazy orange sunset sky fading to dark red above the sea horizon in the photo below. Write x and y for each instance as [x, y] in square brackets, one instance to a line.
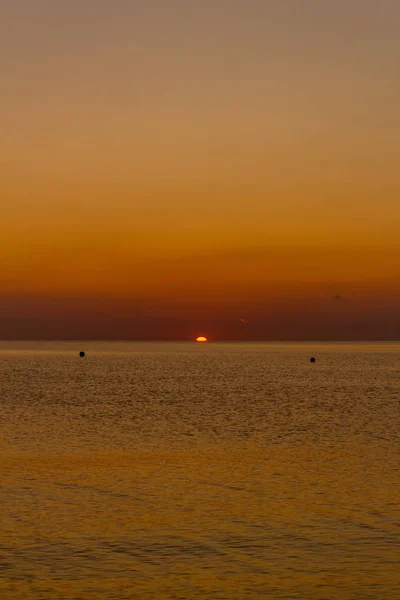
[227, 168]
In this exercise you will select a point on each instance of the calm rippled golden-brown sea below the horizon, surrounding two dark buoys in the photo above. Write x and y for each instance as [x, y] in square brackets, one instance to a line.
[216, 471]
